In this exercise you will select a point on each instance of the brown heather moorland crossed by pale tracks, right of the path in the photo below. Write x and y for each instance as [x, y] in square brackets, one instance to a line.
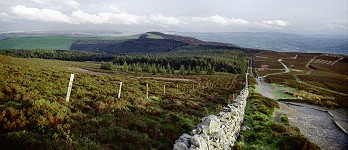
[316, 83]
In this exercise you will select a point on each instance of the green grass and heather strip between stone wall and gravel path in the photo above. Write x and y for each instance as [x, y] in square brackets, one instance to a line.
[265, 132]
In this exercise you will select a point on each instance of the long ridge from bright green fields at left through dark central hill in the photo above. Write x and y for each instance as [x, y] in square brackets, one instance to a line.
[111, 43]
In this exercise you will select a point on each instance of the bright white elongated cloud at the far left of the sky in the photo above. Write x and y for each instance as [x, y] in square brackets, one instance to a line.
[44, 15]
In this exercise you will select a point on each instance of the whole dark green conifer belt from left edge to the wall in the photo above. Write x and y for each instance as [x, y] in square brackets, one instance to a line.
[190, 62]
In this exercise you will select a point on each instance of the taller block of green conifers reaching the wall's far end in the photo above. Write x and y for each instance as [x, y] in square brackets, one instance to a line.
[192, 62]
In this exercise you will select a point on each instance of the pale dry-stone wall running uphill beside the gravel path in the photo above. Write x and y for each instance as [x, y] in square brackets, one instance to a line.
[217, 131]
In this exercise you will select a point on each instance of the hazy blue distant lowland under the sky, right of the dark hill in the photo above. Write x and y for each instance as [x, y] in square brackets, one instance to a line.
[284, 42]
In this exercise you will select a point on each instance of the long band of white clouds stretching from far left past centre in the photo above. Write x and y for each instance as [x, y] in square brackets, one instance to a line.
[115, 15]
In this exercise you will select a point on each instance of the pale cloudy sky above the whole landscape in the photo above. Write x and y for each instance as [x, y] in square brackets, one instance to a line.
[292, 16]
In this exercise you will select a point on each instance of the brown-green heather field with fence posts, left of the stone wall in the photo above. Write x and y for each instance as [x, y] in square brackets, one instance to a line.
[34, 114]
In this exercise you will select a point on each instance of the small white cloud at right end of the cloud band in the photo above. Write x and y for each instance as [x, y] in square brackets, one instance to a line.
[220, 20]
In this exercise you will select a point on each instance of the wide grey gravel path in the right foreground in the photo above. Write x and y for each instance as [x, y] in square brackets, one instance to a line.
[316, 125]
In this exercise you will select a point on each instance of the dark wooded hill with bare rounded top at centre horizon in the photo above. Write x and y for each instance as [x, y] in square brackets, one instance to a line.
[151, 42]
